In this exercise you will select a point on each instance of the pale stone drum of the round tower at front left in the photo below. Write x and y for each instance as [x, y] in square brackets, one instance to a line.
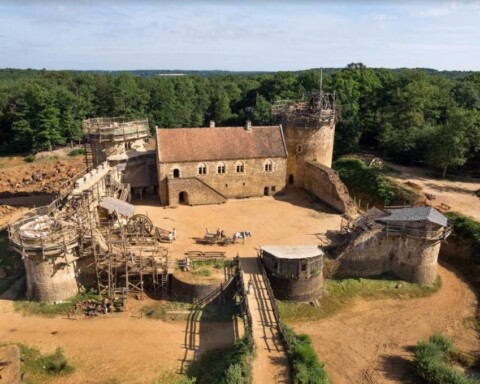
[50, 279]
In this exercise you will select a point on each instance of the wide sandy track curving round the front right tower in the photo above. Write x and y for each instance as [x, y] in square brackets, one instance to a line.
[370, 342]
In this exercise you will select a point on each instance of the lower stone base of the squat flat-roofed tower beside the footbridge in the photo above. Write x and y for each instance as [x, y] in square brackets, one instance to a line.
[297, 289]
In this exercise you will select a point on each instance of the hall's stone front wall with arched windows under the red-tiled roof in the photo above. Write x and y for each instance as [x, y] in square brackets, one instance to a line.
[231, 184]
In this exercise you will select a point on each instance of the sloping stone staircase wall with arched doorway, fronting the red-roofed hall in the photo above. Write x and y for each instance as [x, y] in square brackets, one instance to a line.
[195, 192]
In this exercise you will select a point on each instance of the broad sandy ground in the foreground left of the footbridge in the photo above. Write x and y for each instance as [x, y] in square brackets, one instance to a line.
[116, 348]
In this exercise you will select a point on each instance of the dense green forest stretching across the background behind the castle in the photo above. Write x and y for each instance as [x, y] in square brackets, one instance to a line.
[408, 115]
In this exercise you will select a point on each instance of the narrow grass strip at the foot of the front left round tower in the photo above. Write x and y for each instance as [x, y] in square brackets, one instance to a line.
[51, 310]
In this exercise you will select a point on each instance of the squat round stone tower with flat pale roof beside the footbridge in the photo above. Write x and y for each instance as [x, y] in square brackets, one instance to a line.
[295, 272]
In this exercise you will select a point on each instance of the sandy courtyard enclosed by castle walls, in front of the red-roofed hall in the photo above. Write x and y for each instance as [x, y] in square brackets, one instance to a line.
[287, 220]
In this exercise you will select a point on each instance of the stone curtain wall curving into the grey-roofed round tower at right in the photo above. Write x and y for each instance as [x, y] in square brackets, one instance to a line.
[371, 253]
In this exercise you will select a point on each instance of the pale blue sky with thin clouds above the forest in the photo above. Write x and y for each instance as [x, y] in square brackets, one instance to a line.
[241, 35]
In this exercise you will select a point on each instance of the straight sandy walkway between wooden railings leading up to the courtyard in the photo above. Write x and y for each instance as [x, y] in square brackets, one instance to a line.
[270, 364]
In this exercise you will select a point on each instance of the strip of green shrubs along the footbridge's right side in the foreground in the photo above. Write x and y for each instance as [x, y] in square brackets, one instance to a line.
[305, 366]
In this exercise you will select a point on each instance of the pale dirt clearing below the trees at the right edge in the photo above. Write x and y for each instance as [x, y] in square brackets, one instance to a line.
[458, 194]
